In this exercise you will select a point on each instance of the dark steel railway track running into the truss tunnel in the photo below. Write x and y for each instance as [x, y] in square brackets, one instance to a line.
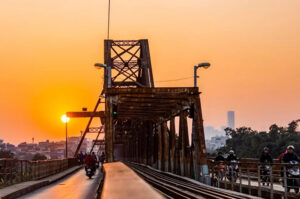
[174, 187]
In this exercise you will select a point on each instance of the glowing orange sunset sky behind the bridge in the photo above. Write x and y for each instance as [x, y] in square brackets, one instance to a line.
[48, 49]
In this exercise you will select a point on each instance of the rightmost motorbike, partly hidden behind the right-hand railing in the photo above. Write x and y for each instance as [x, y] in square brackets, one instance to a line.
[293, 174]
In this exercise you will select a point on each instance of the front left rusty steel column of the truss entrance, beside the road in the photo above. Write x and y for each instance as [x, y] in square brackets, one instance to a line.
[109, 130]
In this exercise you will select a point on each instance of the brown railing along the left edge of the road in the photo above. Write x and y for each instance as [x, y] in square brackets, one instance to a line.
[14, 171]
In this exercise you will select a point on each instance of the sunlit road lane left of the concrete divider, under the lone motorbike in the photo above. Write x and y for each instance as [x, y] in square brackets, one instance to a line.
[76, 186]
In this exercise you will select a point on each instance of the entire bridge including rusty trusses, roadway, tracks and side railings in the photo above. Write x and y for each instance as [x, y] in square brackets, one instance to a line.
[146, 140]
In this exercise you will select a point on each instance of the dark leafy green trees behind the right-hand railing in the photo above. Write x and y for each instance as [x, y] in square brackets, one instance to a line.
[249, 143]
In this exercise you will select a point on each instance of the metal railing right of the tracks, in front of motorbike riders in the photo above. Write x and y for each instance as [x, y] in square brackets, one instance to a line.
[254, 178]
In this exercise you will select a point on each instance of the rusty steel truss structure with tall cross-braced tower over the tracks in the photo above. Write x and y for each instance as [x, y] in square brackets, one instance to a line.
[139, 118]
